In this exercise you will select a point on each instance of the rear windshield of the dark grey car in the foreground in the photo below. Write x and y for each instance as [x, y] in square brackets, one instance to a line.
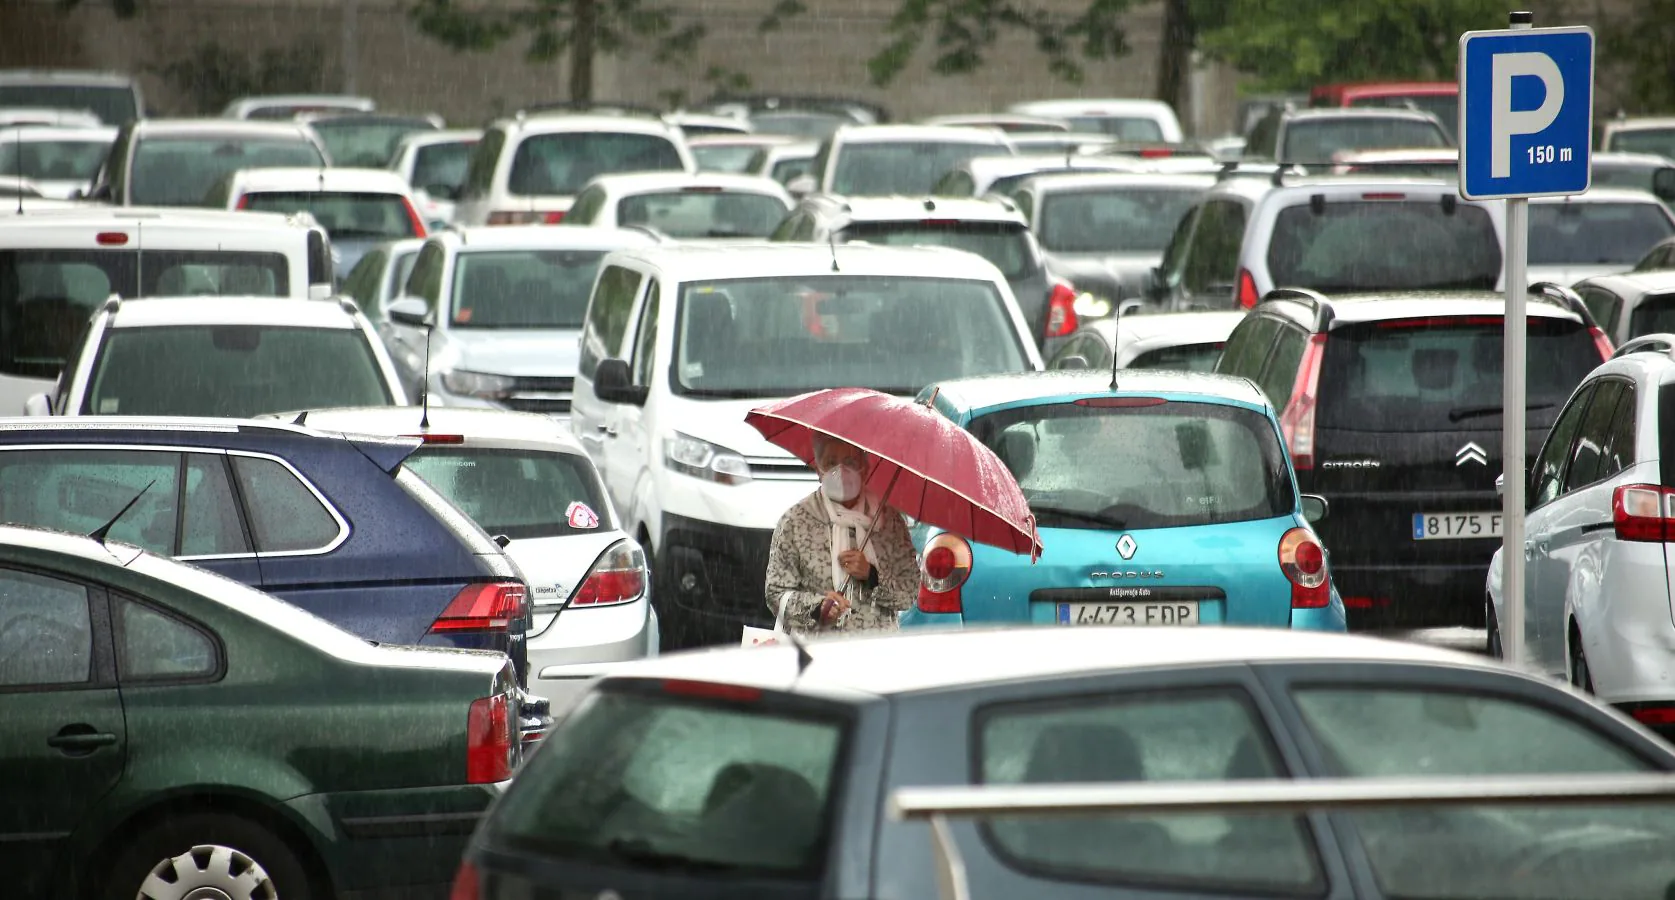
[654, 782]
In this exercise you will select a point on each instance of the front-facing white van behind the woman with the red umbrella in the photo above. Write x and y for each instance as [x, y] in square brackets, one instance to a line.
[684, 339]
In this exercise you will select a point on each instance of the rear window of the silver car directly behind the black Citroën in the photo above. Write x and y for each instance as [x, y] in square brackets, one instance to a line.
[1386, 246]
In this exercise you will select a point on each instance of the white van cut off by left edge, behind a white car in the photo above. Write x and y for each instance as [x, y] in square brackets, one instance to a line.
[61, 266]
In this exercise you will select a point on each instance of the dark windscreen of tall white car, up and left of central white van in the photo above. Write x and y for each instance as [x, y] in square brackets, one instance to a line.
[549, 165]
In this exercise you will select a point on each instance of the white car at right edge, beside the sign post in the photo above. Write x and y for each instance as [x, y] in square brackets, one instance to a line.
[1602, 512]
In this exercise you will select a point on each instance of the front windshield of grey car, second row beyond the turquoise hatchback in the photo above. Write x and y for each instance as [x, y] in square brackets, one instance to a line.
[1111, 220]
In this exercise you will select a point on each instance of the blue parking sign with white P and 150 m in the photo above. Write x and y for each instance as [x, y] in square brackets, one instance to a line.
[1527, 113]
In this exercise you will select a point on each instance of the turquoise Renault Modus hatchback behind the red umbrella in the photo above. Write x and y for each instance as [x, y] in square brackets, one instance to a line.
[1168, 500]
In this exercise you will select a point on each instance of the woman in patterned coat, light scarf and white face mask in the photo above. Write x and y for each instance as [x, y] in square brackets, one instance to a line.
[842, 559]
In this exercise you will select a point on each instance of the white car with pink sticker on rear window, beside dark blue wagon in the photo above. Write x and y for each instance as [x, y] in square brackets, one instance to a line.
[525, 480]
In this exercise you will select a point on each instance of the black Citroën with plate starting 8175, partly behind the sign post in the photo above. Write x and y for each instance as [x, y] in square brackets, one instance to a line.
[1391, 406]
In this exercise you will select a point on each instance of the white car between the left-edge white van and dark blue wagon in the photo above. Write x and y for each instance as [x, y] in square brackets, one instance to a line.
[229, 358]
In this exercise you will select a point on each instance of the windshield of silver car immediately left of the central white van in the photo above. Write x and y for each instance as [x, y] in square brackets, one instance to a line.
[523, 289]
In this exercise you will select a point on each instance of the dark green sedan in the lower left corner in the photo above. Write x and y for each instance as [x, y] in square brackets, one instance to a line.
[172, 735]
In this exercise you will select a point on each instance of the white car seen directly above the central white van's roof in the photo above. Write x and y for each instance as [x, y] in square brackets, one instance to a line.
[679, 205]
